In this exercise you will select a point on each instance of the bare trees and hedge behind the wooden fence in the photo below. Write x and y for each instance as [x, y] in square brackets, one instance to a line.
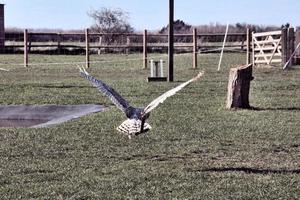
[108, 20]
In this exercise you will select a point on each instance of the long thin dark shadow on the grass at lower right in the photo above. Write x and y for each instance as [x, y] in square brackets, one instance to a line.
[252, 170]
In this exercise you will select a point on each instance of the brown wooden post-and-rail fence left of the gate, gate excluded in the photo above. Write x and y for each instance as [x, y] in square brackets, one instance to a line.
[90, 43]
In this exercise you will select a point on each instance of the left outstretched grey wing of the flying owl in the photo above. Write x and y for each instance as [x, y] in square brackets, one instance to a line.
[115, 97]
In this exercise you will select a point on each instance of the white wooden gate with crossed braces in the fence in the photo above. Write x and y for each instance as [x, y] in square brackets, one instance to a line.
[267, 47]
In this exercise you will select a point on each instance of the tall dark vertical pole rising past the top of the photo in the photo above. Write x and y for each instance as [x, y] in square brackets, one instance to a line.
[171, 41]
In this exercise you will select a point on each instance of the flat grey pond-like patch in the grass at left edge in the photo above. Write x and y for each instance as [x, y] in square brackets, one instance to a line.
[38, 116]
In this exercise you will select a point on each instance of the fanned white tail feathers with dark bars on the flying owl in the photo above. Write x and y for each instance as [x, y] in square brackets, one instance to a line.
[132, 127]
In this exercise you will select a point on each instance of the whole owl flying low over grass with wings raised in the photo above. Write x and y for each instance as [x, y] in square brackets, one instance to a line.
[136, 117]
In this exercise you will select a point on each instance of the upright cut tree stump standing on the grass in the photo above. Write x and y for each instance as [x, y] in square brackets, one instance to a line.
[239, 87]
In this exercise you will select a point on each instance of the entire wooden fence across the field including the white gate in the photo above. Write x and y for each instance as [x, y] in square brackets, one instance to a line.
[262, 48]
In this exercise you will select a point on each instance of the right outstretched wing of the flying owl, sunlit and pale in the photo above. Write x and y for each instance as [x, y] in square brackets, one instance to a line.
[169, 93]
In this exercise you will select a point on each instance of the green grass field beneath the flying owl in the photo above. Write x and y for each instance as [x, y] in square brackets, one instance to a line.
[196, 150]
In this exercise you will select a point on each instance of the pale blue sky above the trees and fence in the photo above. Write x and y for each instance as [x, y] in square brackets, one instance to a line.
[151, 15]
